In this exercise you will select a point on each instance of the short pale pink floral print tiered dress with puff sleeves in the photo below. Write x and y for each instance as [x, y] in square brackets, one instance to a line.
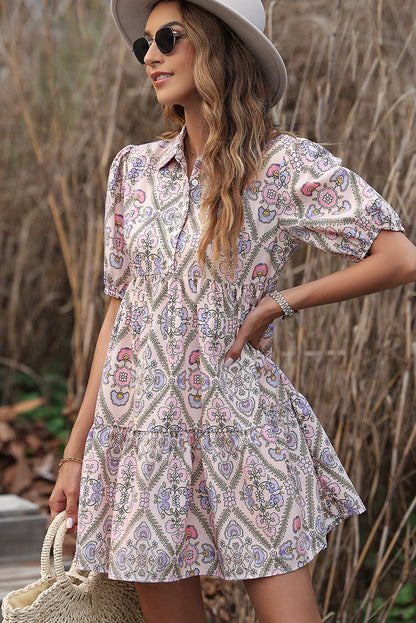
[191, 468]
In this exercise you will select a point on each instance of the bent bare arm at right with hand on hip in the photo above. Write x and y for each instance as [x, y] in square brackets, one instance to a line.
[391, 262]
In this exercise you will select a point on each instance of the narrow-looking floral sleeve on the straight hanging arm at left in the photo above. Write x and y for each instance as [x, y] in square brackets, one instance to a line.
[117, 269]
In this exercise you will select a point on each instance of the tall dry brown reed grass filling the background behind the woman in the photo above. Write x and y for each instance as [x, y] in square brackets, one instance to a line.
[71, 97]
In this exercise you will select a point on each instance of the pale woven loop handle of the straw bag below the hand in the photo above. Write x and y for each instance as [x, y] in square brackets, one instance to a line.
[55, 538]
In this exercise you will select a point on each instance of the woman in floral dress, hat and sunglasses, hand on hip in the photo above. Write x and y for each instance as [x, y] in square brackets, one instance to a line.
[199, 455]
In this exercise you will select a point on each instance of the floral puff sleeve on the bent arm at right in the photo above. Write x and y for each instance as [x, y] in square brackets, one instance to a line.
[327, 205]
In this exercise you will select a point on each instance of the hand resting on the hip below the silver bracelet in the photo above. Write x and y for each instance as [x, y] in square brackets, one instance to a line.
[253, 327]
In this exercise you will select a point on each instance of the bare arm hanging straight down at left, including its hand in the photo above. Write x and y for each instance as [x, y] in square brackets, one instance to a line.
[66, 491]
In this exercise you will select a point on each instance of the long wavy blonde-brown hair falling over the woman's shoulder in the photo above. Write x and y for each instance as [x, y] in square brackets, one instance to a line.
[239, 123]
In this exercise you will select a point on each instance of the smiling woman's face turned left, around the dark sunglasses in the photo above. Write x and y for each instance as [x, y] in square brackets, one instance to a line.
[172, 74]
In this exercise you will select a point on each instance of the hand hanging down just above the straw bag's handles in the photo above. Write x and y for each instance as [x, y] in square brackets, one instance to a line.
[65, 494]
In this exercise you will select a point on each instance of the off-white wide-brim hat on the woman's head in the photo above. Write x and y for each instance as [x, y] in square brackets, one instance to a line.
[246, 17]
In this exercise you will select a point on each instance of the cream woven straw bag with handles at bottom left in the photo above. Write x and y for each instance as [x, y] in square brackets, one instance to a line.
[66, 597]
